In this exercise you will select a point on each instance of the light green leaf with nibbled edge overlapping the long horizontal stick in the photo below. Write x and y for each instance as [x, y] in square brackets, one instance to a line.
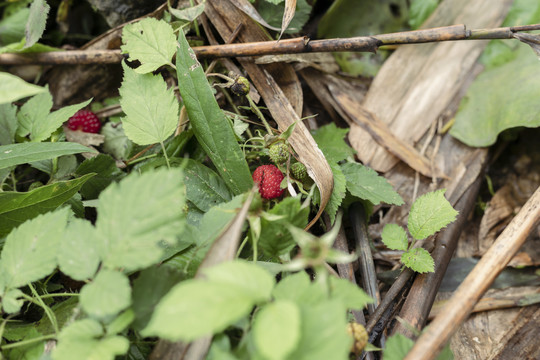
[150, 41]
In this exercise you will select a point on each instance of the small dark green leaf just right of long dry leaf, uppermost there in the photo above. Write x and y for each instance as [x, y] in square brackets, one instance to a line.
[331, 141]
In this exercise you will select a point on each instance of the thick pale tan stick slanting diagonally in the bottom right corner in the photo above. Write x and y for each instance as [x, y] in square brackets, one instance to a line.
[477, 282]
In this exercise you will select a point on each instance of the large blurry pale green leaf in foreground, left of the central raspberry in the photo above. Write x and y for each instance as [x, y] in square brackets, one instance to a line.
[136, 215]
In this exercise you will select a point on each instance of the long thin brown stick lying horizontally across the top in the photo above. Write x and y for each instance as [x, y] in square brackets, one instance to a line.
[288, 46]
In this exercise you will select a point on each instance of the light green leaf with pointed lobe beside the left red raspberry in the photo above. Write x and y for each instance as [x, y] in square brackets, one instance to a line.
[36, 121]
